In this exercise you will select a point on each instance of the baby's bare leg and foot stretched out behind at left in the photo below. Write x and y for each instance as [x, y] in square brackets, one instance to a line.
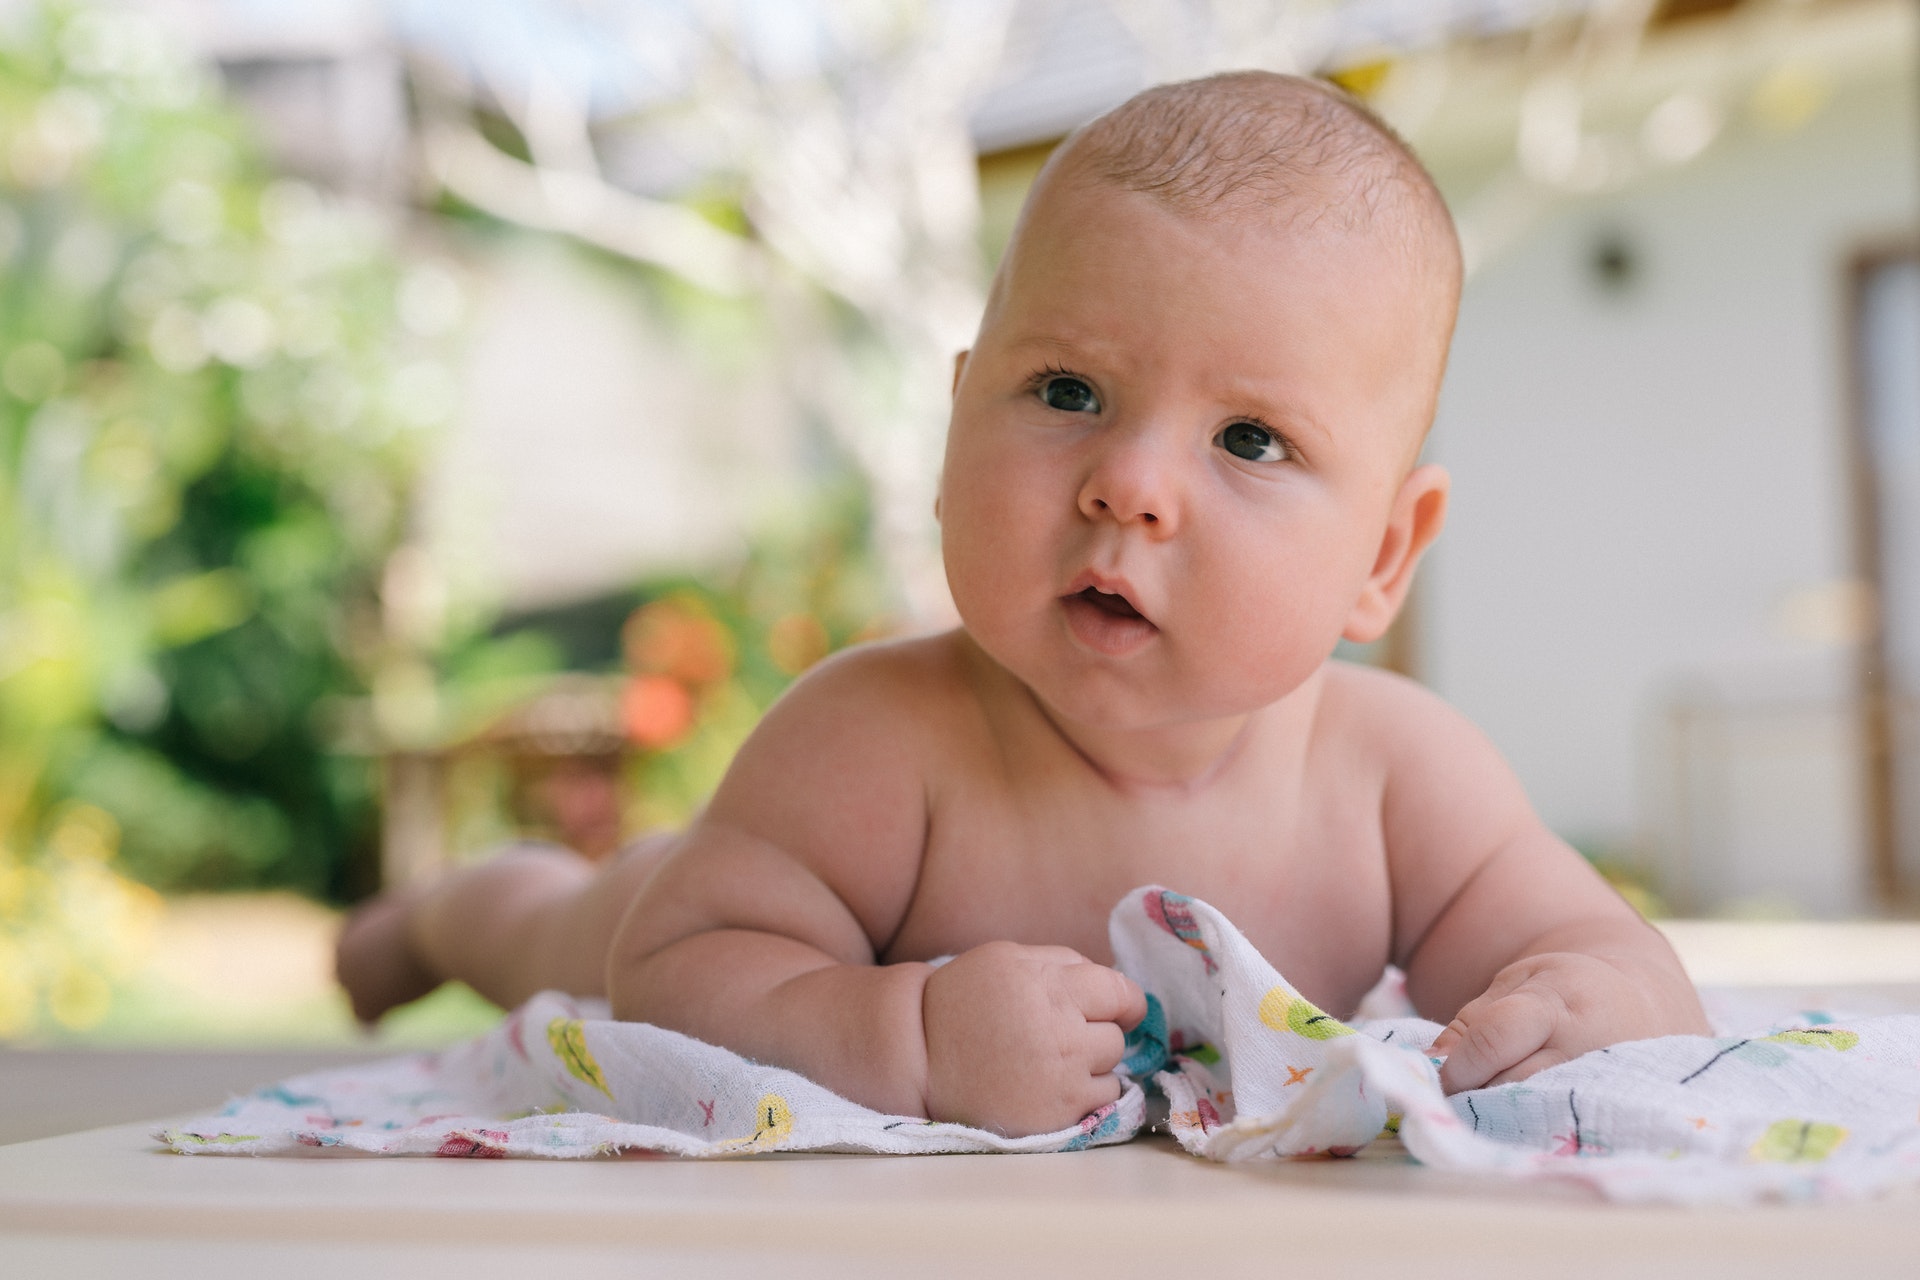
[533, 918]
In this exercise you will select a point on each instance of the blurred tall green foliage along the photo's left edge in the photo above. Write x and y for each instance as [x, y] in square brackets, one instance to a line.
[210, 419]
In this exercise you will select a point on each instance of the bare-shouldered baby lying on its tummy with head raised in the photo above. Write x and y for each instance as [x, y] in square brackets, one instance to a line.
[1182, 467]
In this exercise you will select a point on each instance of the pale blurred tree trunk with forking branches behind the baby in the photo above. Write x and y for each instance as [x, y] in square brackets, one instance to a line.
[855, 179]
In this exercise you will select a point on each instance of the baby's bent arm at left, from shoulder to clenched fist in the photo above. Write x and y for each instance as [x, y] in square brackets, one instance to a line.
[763, 932]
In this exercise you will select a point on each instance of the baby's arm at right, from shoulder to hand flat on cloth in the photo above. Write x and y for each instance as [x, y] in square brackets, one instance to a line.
[1500, 926]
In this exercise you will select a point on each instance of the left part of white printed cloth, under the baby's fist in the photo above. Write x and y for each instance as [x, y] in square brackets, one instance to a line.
[590, 1087]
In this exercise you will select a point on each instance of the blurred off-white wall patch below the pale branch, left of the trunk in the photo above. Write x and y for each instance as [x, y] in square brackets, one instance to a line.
[602, 440]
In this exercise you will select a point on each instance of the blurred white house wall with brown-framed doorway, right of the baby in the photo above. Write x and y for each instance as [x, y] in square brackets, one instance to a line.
[1679, 586]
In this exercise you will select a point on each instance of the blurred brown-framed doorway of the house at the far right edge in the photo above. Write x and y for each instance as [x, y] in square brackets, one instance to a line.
[1886, 356]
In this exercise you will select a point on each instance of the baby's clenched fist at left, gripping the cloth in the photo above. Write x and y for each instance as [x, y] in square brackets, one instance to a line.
[1024, 1039]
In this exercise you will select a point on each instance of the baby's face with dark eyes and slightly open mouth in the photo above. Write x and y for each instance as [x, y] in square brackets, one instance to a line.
[1174, 452]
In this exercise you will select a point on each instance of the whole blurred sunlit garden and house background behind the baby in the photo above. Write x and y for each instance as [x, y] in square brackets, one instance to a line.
[427, 423]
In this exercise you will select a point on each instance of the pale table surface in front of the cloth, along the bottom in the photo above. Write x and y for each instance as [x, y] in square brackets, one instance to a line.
[108, 1202]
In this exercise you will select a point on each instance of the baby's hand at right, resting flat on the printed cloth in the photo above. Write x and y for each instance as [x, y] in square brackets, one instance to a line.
[1550, 1008]
